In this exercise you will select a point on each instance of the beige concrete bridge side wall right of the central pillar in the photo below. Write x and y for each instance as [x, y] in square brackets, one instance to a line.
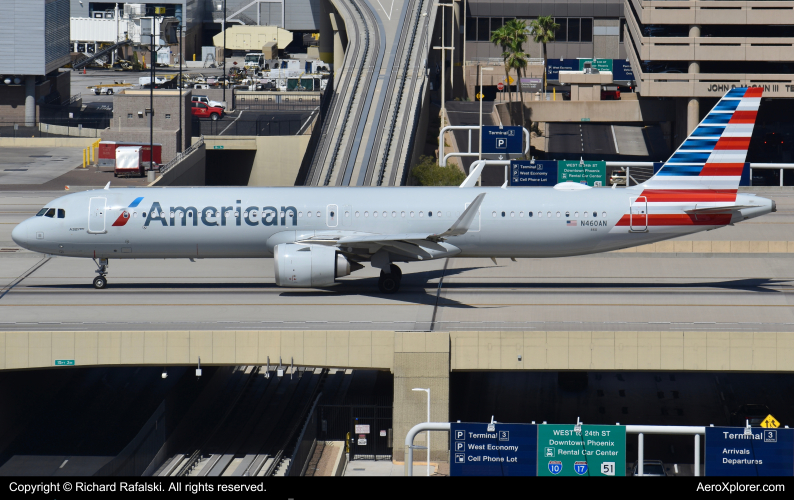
[698, 351]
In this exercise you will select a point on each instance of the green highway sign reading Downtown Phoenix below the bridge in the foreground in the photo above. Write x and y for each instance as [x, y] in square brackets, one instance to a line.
[596, 450]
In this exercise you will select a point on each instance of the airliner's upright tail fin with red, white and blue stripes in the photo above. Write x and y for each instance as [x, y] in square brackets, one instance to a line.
[707, 167]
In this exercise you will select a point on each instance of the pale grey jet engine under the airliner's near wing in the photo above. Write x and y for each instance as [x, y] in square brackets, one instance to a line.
[309, 265]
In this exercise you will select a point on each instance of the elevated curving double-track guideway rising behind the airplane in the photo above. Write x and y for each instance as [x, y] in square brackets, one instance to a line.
[368, 131]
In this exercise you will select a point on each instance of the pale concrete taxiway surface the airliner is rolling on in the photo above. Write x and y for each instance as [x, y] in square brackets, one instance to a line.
[642, 291]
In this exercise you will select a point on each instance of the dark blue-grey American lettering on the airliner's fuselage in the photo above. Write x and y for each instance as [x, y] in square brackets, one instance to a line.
[221, 216]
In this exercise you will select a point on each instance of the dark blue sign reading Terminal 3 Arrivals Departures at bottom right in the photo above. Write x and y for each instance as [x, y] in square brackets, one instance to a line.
[741, 451]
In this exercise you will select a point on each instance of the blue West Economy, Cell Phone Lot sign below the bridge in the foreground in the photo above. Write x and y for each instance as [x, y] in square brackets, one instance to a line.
[507, 450]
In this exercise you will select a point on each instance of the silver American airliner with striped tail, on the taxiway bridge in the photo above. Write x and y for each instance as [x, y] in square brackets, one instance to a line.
[317, 235]
